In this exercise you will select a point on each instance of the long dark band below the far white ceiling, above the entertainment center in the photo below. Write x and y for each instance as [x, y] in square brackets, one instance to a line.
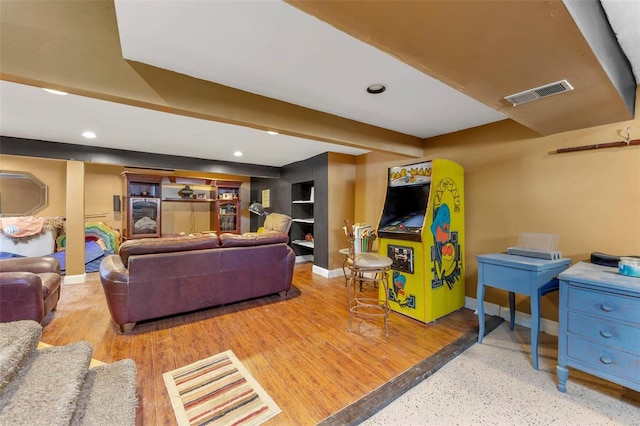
[65, 151]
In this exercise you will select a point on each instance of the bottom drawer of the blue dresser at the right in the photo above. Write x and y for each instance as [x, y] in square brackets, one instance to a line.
[596, 358]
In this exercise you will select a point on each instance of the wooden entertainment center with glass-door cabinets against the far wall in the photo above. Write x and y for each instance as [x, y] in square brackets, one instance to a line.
[156, 205]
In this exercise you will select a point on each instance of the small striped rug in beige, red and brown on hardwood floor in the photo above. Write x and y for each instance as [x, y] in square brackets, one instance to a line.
[218, 390]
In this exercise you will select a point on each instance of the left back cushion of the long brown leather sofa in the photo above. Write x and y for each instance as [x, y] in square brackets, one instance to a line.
[167, 245]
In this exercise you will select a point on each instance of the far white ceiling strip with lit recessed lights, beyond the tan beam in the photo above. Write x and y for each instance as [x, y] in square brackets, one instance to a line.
[29, 112]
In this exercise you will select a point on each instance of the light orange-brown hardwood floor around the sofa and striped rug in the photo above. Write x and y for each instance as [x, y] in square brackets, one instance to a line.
[299, 348]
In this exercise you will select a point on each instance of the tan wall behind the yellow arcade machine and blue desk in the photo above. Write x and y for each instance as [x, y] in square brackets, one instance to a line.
[514, 182]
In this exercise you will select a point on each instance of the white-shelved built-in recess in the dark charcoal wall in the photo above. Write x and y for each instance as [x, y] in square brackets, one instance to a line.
[302, 214]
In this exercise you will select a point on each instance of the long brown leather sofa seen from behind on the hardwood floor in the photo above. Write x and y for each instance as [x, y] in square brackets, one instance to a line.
[156, 277]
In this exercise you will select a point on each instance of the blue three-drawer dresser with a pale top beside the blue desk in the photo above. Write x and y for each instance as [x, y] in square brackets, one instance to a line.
[599, 325]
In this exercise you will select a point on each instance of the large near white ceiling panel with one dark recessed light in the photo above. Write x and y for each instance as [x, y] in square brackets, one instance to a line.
[275, 50]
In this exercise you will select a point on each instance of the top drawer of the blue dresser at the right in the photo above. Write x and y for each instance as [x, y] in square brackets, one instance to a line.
[605, 305]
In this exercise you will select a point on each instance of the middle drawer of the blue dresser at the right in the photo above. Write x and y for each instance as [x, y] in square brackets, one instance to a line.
[606, 332]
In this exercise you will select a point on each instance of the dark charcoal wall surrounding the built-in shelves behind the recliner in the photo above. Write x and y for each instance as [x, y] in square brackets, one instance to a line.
[314, 169]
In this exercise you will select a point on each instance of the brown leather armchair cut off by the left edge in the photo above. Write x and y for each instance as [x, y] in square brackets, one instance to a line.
[29, 288]
